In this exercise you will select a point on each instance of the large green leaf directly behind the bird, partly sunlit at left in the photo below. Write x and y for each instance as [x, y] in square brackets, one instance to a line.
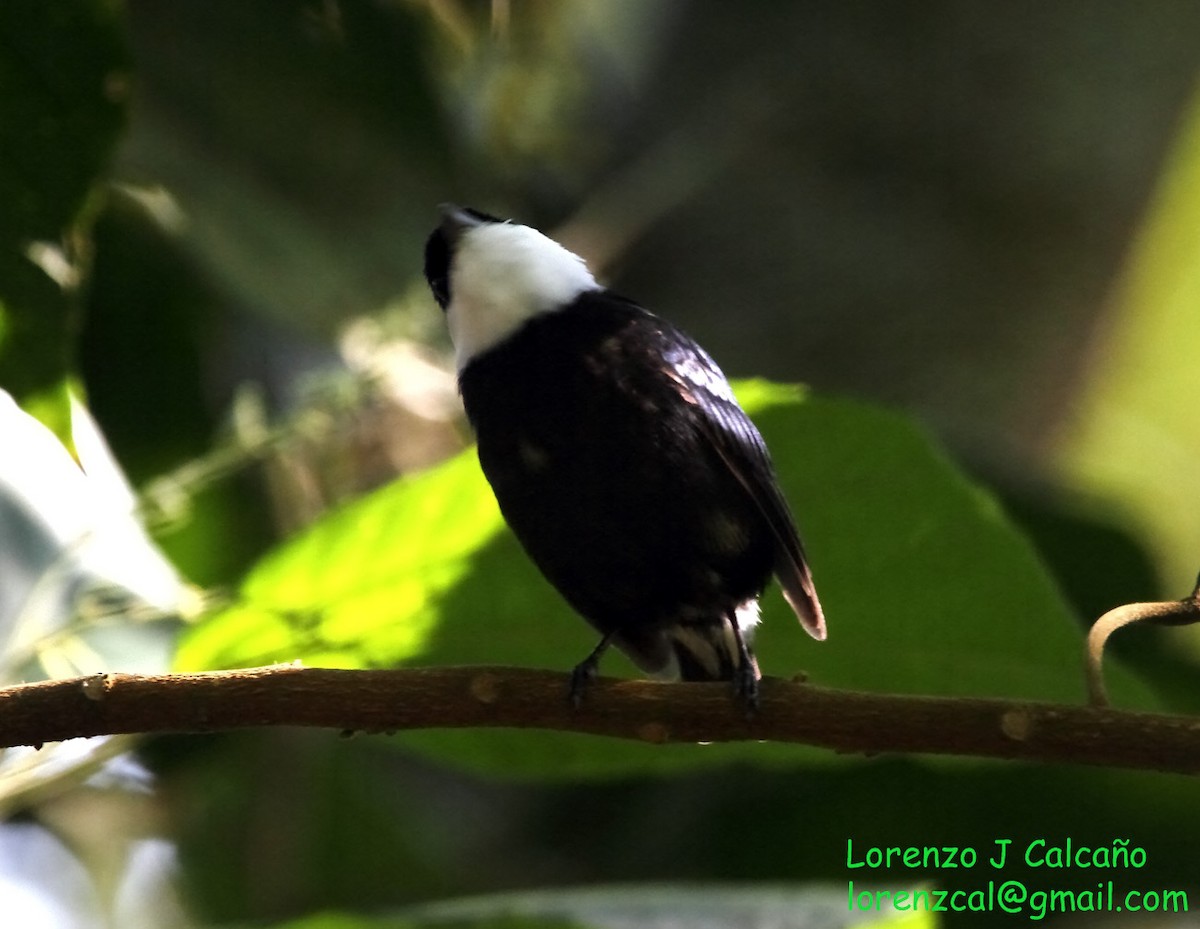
[927, 586]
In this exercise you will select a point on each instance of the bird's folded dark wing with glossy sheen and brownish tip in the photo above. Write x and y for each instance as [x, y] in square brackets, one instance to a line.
[740, 445]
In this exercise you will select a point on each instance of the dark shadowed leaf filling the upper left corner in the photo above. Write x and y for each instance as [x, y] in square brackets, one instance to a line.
[64, 81]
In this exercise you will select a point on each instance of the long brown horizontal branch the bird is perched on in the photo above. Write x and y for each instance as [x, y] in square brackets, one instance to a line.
[454, 698]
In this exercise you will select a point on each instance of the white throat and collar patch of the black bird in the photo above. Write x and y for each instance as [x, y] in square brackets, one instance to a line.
[503, 275]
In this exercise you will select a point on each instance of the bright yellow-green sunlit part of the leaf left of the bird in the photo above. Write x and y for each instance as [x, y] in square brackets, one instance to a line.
[365, 586]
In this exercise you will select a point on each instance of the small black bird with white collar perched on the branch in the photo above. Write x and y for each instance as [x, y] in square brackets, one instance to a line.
[619, 455]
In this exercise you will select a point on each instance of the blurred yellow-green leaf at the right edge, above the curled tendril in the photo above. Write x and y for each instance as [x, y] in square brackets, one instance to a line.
[1136, 441]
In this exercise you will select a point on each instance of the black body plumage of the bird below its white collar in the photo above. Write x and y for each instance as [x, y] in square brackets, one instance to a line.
[627, 471]
